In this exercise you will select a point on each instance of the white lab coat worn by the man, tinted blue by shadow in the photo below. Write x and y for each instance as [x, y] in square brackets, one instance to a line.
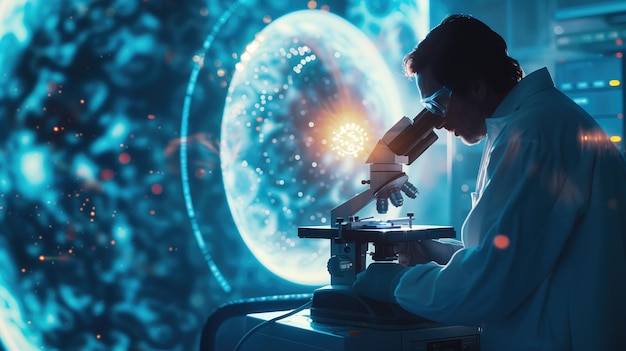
[552, 186]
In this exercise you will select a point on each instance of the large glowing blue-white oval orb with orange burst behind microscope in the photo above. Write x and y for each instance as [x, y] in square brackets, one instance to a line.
[310, 98]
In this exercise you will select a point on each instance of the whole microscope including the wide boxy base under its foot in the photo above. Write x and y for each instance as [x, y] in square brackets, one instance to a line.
[340, 319]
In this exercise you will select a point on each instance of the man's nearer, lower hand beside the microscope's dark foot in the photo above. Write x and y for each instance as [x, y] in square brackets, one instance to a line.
[378, 282]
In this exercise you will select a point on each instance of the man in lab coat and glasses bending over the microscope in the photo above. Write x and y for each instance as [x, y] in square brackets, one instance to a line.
[543, 266]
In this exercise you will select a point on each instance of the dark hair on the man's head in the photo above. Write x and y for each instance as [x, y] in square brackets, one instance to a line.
[462, 49]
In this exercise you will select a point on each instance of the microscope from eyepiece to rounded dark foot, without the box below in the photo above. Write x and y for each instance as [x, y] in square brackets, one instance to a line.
[351, 236]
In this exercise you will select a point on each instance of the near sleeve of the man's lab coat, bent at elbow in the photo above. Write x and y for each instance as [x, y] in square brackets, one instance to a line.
[524, 216]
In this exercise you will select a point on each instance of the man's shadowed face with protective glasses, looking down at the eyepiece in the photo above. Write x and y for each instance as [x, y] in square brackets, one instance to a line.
[458, 114]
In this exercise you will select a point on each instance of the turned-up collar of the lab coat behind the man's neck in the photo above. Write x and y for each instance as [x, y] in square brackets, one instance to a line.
[531, 84]
